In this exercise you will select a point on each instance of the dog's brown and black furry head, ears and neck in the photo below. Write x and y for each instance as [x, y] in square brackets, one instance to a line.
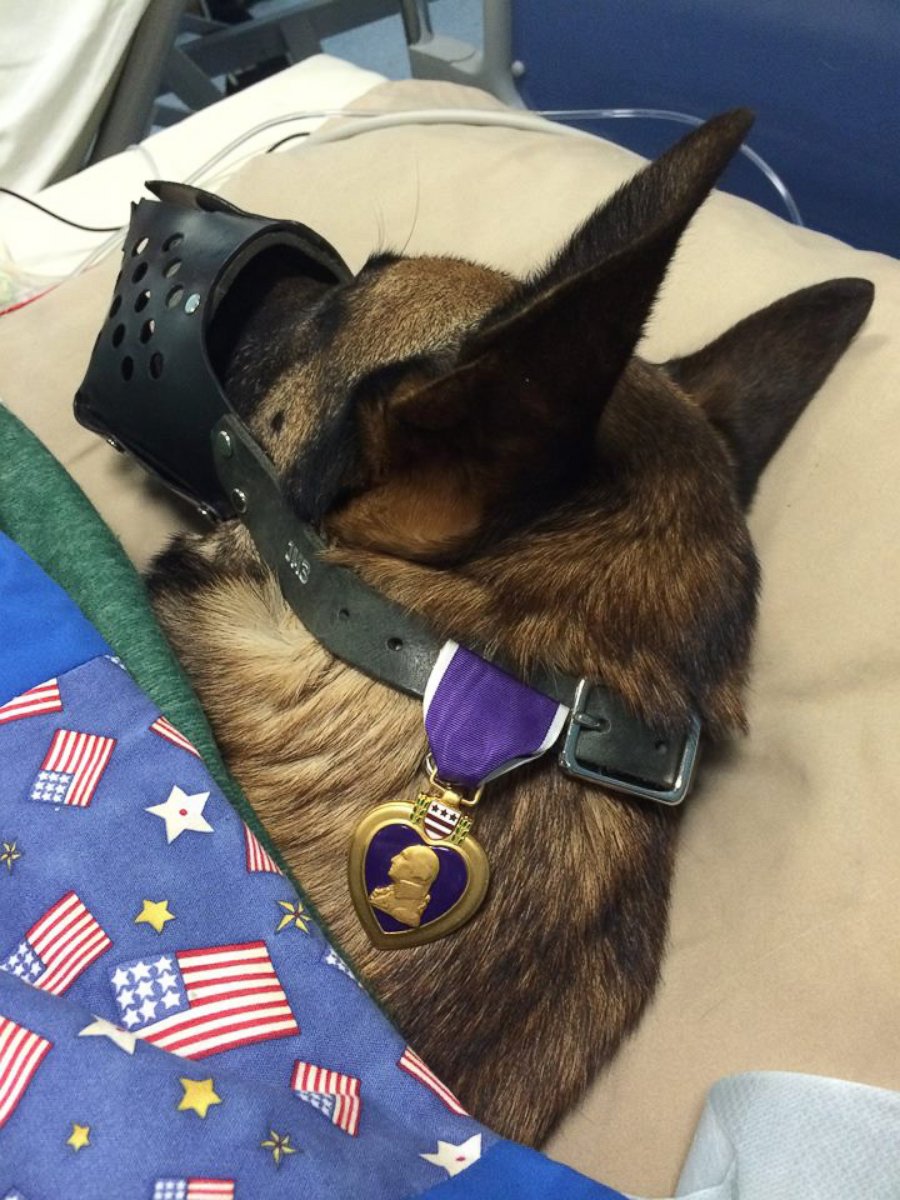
[491, 454]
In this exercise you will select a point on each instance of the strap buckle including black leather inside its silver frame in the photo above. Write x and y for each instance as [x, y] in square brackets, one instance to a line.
[605, 745]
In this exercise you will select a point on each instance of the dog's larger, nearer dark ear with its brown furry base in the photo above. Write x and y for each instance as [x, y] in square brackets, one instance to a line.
[514, 418]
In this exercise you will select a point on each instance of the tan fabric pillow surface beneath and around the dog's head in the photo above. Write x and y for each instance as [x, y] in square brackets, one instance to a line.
[785, 921]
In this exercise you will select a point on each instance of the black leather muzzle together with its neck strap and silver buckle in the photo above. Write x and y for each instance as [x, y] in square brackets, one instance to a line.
[152, 389]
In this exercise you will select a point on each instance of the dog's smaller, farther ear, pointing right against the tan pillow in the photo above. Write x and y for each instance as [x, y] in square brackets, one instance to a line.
[755, 381]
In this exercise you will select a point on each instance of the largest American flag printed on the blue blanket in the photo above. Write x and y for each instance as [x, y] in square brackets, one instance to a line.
[200, 1003]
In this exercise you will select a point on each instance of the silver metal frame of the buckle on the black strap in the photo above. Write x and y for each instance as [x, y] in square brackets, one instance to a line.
[581, 722]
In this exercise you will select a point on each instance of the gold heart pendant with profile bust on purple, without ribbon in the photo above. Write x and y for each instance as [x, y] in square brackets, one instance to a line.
[416, 873]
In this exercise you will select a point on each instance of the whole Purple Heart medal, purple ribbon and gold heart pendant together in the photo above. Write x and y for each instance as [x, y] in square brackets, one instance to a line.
[416, 872]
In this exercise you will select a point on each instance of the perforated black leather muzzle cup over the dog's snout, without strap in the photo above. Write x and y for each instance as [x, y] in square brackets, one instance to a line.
[151, 386]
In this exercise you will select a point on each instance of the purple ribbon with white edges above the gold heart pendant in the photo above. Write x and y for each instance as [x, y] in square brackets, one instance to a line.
[483, 723]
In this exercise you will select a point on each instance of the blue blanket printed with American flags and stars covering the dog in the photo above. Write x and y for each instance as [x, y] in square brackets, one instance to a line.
[173, 1024]
